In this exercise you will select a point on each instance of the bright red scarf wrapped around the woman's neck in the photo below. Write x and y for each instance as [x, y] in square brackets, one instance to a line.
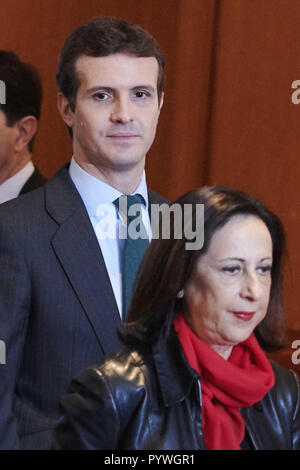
[227, 385]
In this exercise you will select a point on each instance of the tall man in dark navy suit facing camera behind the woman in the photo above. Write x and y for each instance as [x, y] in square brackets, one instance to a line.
[61, 293]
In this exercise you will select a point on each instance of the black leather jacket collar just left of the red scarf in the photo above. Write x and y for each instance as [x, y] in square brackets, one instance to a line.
[169, 359]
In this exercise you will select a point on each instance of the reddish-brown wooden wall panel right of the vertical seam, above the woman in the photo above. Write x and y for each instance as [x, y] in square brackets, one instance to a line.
[254, 131]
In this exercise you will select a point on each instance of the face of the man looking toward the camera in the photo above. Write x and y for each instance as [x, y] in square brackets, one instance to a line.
[117, 110]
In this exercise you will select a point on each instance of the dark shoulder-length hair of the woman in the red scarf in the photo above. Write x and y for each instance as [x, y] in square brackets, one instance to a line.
[167, 267]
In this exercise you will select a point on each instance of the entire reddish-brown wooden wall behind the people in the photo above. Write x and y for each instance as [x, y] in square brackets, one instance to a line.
[228, 116]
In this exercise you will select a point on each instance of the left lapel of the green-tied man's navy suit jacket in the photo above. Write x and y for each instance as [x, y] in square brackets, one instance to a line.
[78, 251]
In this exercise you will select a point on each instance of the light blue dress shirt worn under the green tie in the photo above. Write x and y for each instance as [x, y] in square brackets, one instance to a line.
[98, 198]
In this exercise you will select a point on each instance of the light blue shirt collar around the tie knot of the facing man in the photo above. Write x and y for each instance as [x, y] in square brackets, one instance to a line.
[94, 191]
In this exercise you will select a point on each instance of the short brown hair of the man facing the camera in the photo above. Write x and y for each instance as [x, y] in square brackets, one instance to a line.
[102, 37]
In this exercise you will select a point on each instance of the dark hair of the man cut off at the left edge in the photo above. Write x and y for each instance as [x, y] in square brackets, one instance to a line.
[23, 89]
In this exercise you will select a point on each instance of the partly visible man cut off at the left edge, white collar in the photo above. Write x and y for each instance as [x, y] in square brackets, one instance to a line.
[19, 114]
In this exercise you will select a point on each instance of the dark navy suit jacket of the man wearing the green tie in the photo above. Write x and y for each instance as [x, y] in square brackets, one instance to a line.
[58, 313]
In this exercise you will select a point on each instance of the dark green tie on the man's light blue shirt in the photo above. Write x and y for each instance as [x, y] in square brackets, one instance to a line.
[135, 245]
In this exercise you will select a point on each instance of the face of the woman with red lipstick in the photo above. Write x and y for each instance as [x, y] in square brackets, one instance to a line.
[229, 292]
